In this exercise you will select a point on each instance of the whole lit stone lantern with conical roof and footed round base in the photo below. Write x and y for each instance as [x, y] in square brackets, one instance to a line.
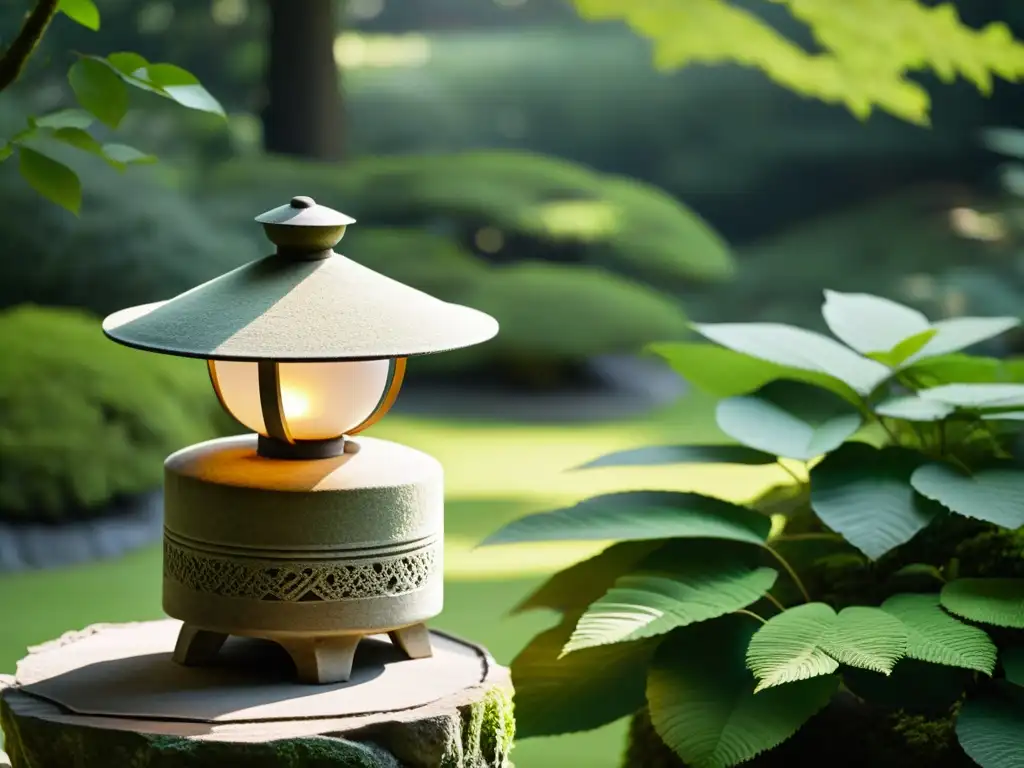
[307, 349]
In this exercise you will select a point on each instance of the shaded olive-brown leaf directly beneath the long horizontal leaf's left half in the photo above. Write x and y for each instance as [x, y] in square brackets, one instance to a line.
[572, 590]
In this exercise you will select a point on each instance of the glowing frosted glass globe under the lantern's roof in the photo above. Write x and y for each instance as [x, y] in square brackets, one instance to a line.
[321, 401]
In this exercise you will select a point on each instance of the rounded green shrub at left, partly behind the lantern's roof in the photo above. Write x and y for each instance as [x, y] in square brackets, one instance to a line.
[84, 421]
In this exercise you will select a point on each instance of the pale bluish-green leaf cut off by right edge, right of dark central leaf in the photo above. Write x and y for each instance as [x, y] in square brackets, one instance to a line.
[995, 495]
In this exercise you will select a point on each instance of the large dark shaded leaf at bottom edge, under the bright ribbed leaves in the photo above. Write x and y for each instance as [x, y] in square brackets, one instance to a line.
[703, 703]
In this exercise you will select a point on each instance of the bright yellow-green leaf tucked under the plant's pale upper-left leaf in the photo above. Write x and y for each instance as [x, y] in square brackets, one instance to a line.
[727, 374]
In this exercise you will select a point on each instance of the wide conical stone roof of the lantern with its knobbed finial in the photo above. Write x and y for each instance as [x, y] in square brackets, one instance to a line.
[305, 304]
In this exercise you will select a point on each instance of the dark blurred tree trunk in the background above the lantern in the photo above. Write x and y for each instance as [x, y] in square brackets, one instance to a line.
[305, 112]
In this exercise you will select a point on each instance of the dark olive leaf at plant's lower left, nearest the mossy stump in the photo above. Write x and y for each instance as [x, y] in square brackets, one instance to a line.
[583, 692]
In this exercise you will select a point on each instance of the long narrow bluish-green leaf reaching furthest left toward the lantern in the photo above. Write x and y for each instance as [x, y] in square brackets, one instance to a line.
[636, 516]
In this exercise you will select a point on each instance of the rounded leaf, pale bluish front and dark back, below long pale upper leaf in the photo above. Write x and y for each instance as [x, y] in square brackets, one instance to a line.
[788, 419]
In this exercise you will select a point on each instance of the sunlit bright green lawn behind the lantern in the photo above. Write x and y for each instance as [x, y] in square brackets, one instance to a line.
[495, 473]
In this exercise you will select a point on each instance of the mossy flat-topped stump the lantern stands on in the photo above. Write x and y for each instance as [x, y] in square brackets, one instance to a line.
[112, 696]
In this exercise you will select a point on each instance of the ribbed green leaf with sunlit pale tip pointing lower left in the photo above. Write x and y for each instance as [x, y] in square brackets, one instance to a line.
[685, 583]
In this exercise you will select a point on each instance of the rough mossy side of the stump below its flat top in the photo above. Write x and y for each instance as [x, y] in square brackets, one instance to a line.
[473, 729]
